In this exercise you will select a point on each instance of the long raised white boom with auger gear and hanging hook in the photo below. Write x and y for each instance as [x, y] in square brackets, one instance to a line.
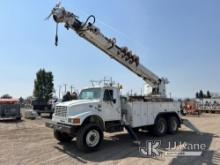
[123, 55]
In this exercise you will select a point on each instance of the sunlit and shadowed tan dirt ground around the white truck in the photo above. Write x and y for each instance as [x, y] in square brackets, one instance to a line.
[30, 142]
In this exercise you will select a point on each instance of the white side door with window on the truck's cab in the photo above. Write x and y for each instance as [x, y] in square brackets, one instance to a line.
[111, 110]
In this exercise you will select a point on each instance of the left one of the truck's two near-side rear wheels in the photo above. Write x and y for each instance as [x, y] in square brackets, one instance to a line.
[160, 127]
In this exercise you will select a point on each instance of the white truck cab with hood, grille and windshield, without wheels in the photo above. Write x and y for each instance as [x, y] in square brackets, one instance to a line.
[103, 102]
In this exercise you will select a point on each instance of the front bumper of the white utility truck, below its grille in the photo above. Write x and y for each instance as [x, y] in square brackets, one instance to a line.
[61, 127]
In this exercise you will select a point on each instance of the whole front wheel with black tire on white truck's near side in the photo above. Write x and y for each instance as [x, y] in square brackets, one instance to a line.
[89, 137]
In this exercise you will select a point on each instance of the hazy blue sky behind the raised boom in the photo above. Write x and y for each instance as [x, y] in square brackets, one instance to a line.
[176, 39]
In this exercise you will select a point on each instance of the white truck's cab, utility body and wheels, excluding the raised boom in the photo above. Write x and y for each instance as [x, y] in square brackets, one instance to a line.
[102, 109]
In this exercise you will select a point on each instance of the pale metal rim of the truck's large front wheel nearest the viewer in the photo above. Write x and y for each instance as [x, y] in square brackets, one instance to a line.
[92, 138]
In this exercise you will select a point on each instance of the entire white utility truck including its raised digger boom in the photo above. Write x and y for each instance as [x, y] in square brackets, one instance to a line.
[102, 108]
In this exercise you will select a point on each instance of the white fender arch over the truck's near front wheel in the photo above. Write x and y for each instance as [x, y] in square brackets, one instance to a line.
[83, 116]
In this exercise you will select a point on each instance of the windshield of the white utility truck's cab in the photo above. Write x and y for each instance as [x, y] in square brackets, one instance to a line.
[90, 94]
